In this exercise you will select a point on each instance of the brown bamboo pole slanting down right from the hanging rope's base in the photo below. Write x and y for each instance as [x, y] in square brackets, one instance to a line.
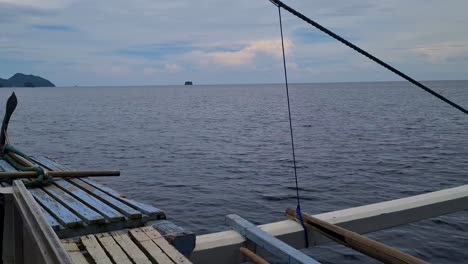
[355, 241]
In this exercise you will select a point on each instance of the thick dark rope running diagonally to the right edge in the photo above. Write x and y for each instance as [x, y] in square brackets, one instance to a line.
[280, 5]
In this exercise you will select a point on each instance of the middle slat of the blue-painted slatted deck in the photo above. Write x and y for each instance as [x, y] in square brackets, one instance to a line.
[111, 214]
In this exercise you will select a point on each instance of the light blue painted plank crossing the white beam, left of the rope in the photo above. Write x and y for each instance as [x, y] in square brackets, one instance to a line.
[273, 245]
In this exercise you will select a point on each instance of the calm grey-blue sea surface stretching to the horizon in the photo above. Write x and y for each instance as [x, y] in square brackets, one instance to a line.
[202, 152]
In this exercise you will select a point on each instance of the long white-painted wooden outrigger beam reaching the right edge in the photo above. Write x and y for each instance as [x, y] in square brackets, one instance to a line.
[224, 246]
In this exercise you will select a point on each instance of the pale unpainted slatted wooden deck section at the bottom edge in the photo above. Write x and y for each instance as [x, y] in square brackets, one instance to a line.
[139, 245]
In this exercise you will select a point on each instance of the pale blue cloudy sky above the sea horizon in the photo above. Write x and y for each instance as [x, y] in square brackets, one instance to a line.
[154, 42]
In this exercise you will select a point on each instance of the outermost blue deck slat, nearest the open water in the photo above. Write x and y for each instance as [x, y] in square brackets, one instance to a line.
[152, 212]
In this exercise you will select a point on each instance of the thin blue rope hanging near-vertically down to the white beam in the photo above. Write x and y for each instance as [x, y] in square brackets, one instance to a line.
[298, 208]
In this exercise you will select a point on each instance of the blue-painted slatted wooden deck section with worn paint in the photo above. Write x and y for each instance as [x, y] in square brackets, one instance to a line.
[77, 207]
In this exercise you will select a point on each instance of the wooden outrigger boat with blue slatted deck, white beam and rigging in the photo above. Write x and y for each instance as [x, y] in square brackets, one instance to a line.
[53, 214]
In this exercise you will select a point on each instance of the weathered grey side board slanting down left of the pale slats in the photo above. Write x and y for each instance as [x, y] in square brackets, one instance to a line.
[37, 230]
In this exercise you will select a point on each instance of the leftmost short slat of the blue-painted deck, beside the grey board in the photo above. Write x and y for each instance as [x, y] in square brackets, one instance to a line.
[56, 209]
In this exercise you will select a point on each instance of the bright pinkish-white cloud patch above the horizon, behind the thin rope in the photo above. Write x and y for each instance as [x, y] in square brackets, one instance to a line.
[244, 55]
